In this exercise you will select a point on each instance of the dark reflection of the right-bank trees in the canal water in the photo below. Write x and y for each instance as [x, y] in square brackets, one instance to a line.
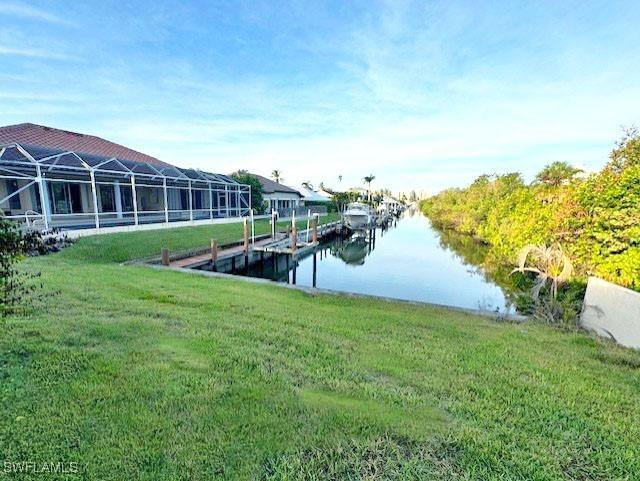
[477, 255]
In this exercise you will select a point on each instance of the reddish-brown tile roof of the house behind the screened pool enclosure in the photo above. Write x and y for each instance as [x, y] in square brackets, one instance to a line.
[40, 135]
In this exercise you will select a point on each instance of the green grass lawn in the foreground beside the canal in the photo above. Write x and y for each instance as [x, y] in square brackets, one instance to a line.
[137, 373]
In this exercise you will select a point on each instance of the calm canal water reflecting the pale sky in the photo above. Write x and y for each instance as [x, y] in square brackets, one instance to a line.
[408, 260]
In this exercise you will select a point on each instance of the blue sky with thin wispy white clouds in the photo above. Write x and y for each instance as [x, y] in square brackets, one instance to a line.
[423, 95]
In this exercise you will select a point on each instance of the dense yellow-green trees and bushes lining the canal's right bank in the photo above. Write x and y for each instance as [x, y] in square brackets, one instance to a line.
[595, 217]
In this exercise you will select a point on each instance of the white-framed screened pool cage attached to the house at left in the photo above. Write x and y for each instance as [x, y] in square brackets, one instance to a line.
[49, 188]
